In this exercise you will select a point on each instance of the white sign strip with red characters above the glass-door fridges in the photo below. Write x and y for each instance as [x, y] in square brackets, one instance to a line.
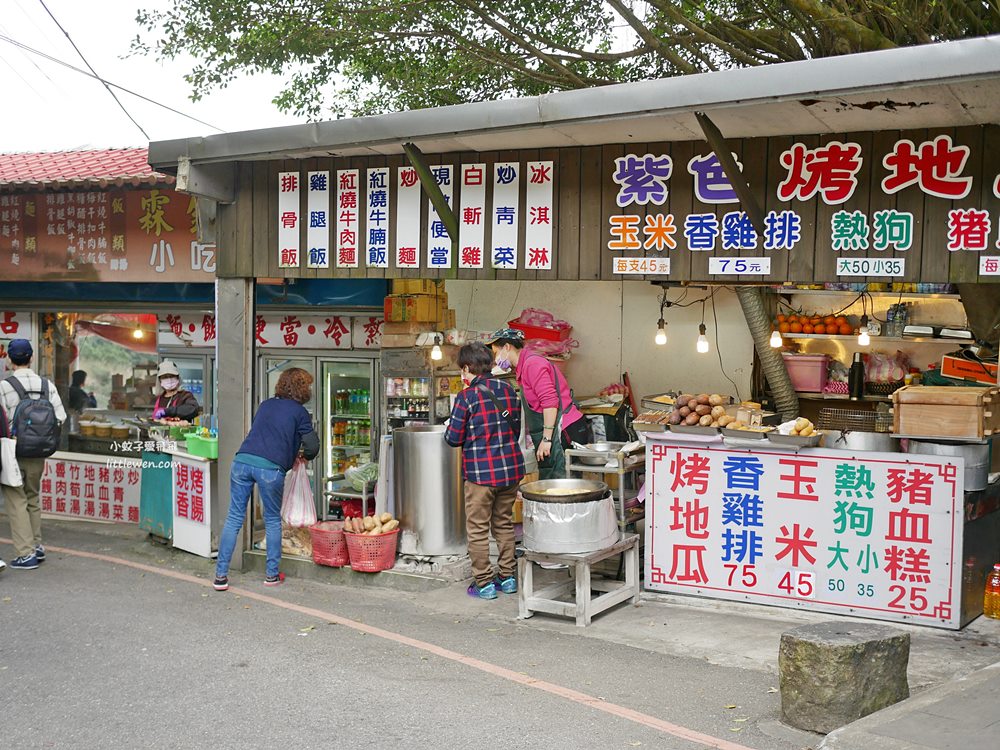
[279, 331]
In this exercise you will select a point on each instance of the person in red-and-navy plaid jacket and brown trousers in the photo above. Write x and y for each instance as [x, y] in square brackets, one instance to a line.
[486, 423]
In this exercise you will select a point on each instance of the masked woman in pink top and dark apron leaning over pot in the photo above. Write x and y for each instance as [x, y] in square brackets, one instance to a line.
[551, 418]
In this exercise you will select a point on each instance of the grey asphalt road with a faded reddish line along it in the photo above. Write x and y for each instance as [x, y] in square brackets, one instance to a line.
[96, 653]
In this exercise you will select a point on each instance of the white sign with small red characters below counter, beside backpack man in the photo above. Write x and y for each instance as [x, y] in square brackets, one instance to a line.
[103, 488]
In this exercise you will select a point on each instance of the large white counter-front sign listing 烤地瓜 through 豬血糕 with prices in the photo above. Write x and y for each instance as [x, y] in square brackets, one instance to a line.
[867, 534]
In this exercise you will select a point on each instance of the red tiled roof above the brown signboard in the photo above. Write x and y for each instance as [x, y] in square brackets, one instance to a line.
[76, 169]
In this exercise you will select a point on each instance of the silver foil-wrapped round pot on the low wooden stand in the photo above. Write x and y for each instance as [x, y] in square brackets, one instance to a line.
[569, 527]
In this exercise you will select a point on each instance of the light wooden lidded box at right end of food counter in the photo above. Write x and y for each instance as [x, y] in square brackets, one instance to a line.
[946, 411]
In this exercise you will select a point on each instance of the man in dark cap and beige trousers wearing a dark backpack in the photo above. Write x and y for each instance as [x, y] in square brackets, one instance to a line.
[35, 416]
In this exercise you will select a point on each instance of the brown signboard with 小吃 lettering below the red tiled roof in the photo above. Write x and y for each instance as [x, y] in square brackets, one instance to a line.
[103, 235]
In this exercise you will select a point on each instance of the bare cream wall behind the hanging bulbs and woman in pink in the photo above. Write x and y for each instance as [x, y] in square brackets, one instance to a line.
[615, 322]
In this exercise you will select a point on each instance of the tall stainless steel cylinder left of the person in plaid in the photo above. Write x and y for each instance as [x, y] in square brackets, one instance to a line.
[429, 492]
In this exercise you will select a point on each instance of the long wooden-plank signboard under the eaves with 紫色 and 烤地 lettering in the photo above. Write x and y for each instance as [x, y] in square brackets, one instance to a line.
[916, 205]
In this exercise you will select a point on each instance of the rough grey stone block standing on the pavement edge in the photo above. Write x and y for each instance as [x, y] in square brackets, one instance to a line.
[833, 673]
